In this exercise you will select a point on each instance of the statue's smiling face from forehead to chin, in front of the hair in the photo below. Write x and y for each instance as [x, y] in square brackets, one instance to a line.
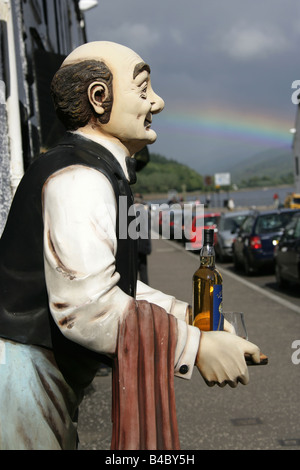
[134, 102]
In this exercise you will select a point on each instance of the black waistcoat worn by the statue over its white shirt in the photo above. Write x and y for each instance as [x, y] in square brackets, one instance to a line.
[24, 310]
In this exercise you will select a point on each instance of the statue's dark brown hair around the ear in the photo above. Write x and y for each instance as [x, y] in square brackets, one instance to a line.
[69, 93]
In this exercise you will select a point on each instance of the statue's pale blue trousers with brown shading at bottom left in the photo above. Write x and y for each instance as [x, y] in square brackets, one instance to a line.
[37, 407]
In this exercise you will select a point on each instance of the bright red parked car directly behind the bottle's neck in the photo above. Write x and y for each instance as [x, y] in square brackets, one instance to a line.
[211, 220]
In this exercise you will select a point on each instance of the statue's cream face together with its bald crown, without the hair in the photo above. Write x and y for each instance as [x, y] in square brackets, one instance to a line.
[134, 101]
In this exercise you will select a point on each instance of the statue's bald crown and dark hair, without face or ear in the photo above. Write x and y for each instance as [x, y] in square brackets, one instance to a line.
[94, 61]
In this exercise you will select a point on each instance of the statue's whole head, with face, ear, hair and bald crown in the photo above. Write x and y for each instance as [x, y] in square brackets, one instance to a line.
[120, 79]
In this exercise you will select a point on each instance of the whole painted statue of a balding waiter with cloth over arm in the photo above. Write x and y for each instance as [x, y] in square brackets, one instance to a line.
[69, 294]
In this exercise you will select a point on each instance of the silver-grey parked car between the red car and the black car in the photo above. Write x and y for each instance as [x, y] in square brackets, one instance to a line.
[228, 226]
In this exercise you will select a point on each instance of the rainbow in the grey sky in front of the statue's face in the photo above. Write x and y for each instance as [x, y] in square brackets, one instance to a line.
[227, 124]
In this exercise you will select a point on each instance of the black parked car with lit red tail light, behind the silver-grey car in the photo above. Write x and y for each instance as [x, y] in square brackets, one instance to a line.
[257, 237]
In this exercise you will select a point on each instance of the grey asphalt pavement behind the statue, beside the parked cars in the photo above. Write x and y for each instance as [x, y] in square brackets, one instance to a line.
[263, 415]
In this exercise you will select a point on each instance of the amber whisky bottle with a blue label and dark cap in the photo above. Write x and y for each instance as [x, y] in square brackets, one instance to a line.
[207, 288]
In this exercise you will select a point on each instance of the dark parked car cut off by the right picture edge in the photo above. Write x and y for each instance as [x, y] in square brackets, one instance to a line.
[287, 254]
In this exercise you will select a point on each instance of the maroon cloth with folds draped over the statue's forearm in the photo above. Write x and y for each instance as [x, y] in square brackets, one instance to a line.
[143, 407]
